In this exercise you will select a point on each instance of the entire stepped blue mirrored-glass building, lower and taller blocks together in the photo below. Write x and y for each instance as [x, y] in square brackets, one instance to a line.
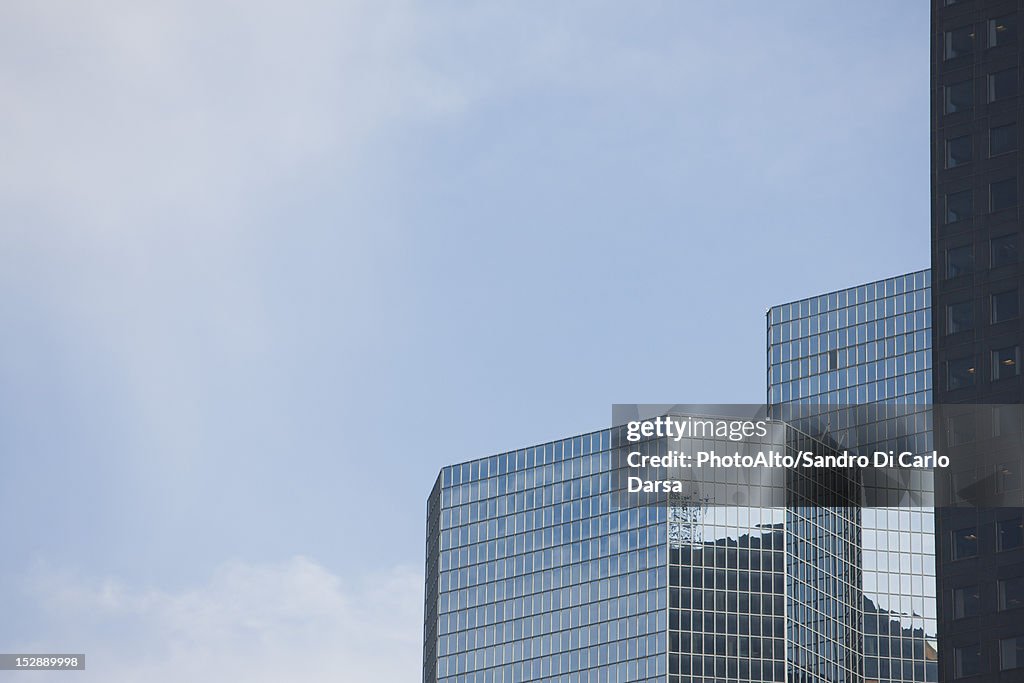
[538, 571]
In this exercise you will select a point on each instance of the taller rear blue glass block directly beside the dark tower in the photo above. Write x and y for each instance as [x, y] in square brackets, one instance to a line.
[854, 368]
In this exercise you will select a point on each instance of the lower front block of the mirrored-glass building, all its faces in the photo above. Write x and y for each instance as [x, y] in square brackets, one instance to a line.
[540, 569]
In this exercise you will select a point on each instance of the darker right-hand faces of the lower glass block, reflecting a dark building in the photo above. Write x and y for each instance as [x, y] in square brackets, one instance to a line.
[766, 594]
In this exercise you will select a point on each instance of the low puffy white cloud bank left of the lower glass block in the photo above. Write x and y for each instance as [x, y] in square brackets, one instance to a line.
[290, 622]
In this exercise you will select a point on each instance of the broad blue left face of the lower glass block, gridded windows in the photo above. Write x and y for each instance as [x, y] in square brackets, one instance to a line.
[540, 577]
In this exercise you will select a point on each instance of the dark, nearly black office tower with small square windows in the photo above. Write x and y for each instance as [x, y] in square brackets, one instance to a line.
[977, 168]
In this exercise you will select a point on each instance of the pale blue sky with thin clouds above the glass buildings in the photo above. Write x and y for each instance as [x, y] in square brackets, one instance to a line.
[266, 269]
